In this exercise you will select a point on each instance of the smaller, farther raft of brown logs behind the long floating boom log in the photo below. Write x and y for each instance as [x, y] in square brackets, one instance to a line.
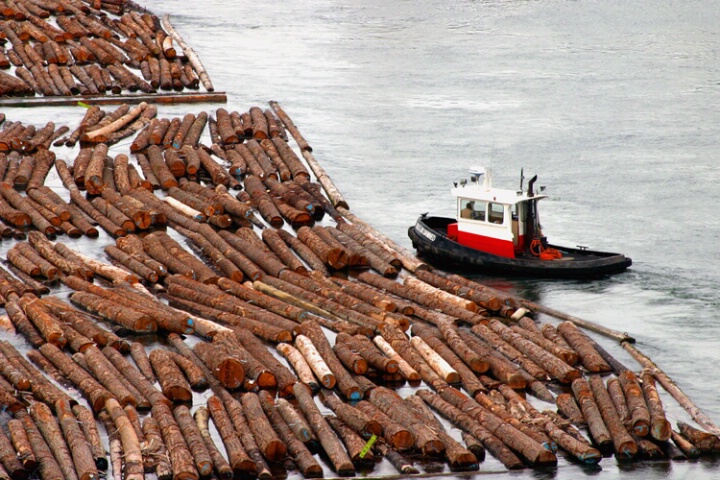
[67, 49]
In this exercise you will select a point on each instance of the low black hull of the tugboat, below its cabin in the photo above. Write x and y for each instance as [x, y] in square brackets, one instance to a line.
[429, 238]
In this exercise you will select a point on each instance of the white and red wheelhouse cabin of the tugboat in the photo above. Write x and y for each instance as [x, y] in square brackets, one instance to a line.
[497, 221]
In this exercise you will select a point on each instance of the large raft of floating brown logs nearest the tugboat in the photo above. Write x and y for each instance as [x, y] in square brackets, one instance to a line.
[205, 284]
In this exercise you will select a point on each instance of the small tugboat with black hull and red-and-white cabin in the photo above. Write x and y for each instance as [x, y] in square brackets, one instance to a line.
[498, 231]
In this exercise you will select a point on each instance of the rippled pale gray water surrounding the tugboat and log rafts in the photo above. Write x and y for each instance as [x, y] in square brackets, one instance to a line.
[614, 104]
